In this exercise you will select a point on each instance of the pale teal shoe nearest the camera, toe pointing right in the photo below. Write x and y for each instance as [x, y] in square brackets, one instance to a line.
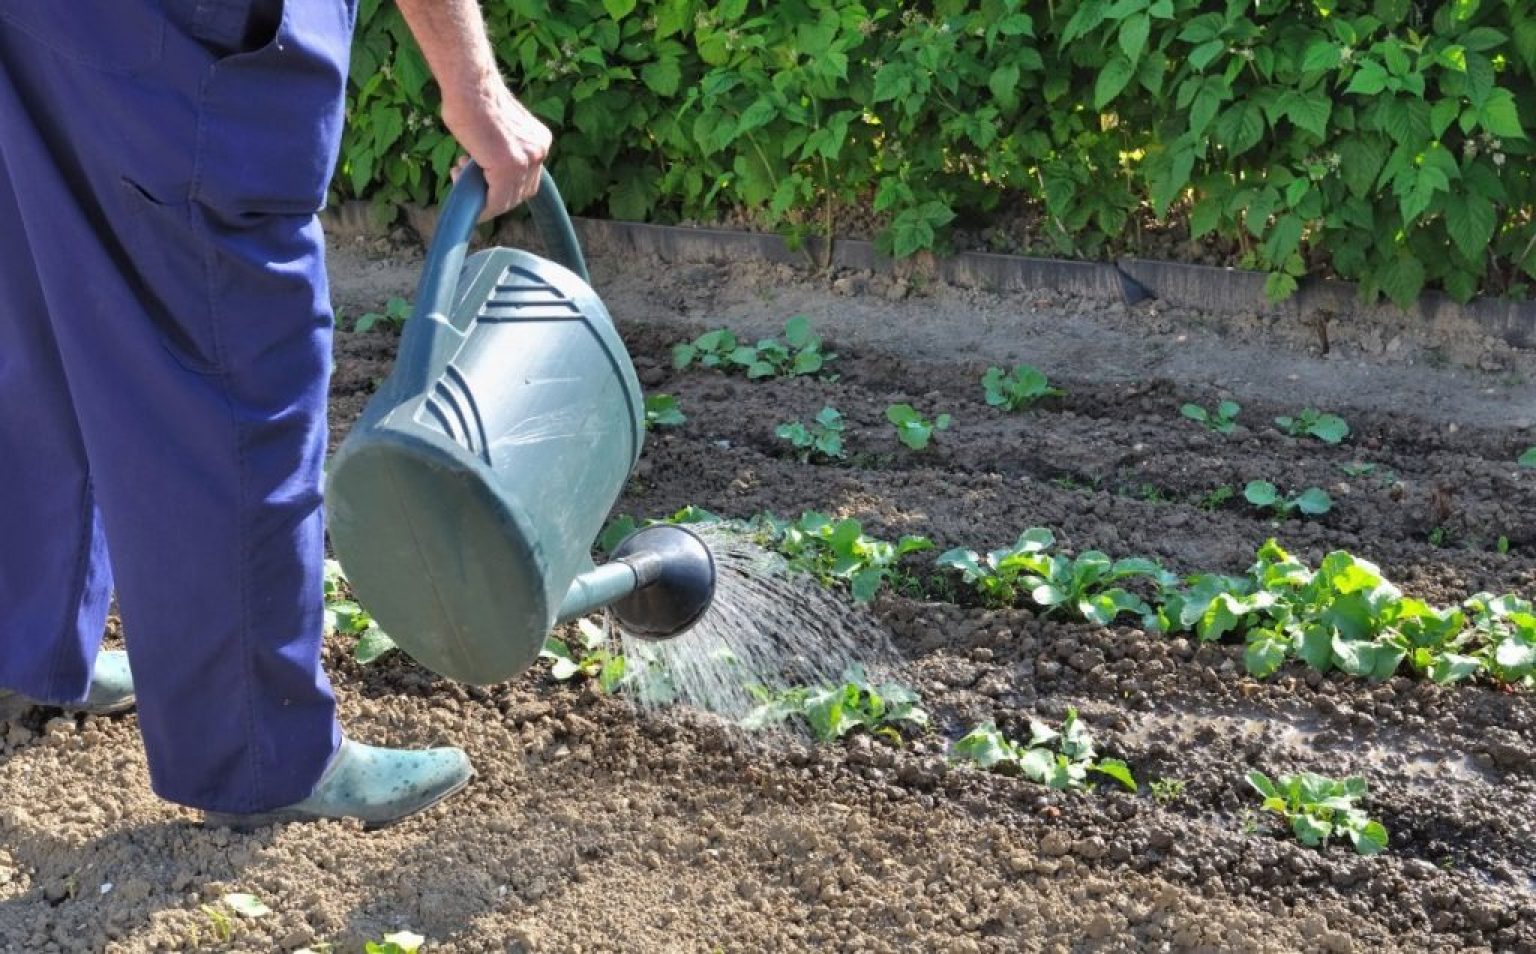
[376, 786]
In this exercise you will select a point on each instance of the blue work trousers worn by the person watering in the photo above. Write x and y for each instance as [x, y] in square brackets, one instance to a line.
[165, 356]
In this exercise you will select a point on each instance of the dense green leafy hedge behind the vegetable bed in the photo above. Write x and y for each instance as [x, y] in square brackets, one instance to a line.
[1380, 141]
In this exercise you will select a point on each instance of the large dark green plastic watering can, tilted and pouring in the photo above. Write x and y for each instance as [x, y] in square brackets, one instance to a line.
[466, 500]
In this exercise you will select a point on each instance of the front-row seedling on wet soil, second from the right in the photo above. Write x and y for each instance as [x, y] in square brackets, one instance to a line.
[1061, 760]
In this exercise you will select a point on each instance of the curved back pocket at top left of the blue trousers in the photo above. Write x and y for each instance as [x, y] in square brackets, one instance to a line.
[119, 38]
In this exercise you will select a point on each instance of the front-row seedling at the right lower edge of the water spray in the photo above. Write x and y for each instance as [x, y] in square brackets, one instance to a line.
[836, 711]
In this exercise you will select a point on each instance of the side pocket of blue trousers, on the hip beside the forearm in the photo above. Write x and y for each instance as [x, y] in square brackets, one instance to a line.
[270, 121]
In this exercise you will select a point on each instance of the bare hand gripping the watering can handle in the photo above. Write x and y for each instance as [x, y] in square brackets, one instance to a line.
[506, 141]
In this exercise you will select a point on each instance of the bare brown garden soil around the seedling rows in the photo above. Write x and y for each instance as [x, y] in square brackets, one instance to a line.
[594, 827]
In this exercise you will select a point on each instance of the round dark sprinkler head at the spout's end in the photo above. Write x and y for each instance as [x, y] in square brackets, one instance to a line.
[677, 581]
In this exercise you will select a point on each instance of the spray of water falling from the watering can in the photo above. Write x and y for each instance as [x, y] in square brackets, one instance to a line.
[767, 629]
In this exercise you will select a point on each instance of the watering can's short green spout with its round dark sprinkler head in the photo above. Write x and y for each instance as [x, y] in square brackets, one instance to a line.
[660, 585]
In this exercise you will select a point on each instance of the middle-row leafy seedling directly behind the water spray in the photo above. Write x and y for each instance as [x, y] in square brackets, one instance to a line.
[839, 551]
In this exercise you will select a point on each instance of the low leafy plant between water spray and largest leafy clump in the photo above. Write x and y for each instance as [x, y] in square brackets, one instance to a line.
[1085, 586]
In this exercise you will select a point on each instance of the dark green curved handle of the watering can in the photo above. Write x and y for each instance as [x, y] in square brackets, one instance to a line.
[429, 331]
